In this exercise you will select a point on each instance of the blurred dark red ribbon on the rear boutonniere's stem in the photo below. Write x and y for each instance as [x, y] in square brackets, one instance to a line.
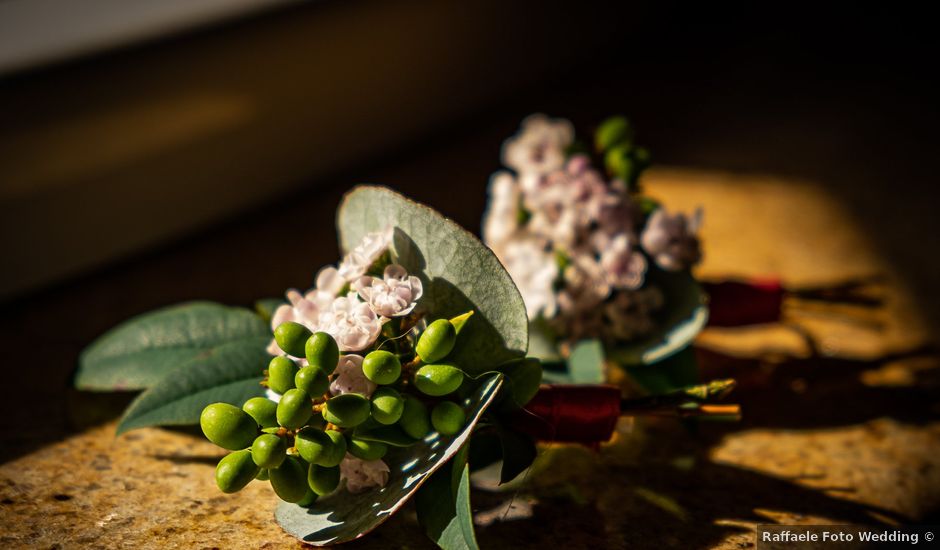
[734, 304]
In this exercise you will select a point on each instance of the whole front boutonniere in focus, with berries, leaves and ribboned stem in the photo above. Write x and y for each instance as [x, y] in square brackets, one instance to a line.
[370, 387]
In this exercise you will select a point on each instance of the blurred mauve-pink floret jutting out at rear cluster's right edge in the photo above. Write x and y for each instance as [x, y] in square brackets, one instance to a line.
[672, 241]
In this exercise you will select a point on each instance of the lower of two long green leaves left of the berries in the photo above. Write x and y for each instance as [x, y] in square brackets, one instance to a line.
[230, 373]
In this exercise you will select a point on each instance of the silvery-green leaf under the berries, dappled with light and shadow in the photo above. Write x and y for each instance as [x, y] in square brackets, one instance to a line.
[342, 517]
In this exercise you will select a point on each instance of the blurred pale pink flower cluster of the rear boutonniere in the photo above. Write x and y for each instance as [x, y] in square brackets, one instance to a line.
[577, 245]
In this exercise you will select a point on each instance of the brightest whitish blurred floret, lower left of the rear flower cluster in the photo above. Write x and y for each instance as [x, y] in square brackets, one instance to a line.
[534, 271]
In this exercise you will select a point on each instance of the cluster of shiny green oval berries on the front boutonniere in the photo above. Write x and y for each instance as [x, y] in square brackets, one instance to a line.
[299, 441]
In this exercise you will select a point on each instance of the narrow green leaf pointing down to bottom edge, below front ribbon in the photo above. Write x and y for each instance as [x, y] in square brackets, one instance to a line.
[443, 505]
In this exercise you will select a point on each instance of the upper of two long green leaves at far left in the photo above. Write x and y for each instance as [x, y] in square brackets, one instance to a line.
[141, 351]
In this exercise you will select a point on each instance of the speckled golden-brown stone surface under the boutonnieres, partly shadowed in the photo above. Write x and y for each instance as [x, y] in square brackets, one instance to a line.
[853, 436]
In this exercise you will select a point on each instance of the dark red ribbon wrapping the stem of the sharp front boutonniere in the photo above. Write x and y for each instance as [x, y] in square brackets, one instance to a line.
[571, 413]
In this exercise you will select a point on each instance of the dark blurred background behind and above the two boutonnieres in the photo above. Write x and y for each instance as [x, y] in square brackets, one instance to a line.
[205, 157]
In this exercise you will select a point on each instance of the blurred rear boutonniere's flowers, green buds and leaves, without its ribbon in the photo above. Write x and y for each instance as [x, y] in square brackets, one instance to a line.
[597, 262]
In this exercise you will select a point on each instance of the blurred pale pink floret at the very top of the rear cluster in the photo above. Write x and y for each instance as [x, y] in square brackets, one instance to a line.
[539, 146]
